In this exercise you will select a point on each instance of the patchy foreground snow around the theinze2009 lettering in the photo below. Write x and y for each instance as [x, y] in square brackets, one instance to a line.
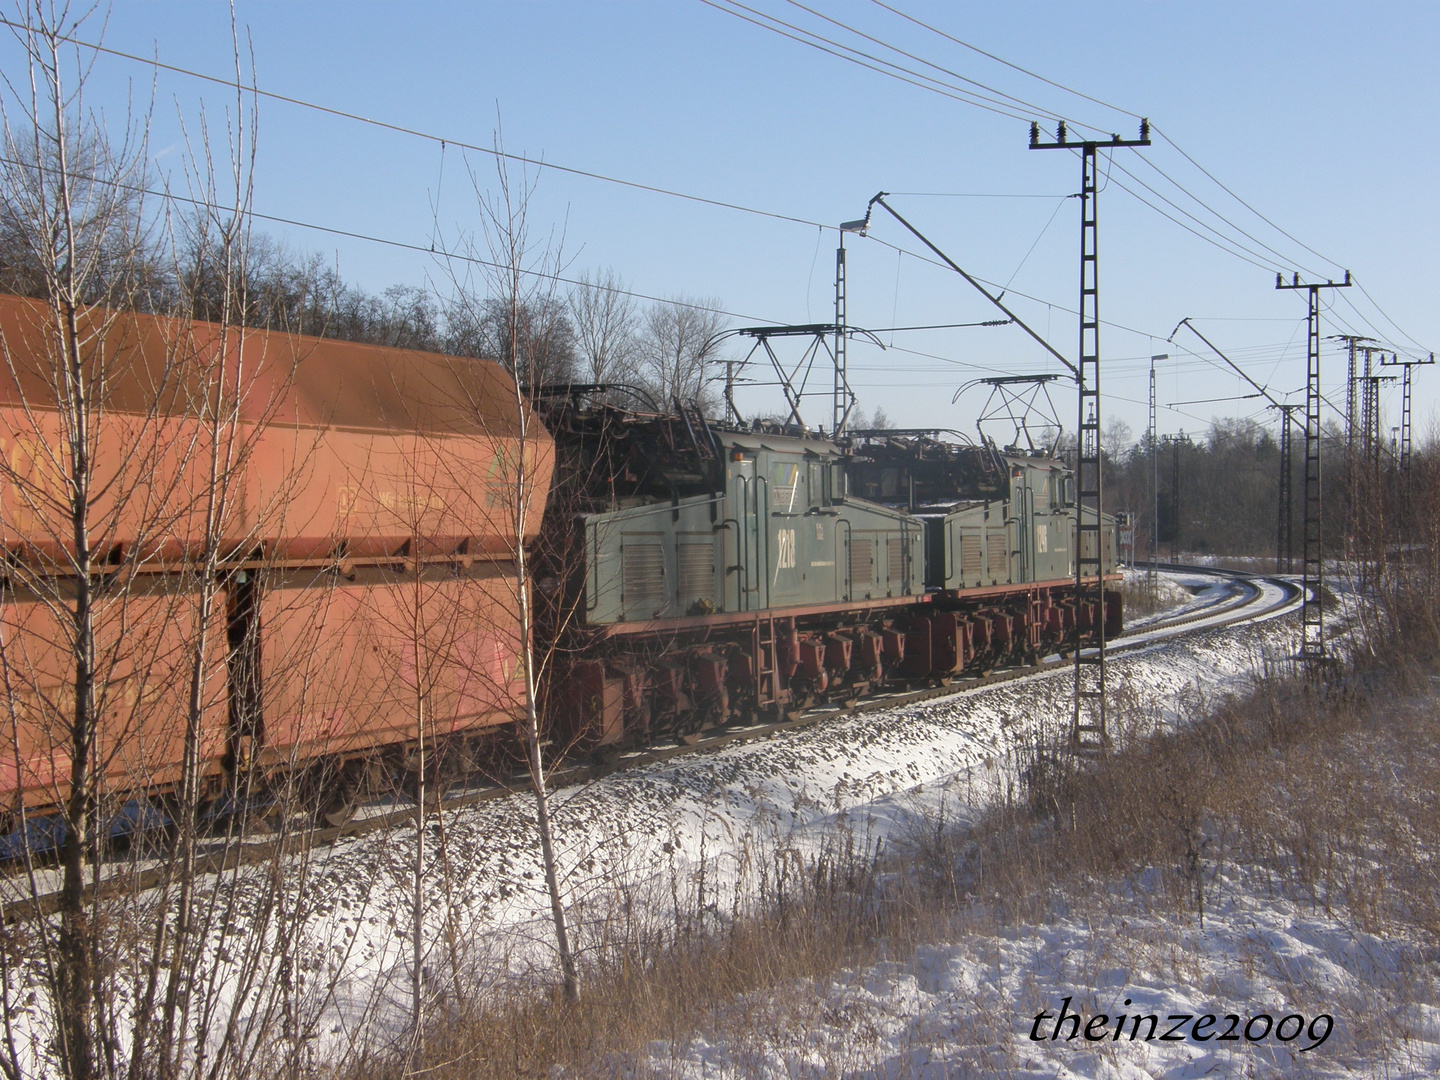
[971, 1009]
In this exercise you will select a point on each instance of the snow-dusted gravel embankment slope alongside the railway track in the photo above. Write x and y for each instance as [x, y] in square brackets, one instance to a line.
[711, 819]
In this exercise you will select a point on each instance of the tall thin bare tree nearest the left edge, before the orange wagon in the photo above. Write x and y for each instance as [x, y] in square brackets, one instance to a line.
[73, 211]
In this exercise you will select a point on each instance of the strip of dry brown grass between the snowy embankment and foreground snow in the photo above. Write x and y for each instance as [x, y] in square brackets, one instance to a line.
[1328, 791]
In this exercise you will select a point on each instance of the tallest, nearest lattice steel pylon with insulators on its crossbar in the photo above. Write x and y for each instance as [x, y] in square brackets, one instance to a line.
[1088, 731]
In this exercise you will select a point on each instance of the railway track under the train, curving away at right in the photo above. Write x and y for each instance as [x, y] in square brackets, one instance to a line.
[1248, 598]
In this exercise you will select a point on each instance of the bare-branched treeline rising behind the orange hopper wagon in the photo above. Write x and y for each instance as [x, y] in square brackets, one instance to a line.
[590, 330]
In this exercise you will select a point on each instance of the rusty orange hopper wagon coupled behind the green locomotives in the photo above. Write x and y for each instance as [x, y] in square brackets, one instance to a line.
[364, 505]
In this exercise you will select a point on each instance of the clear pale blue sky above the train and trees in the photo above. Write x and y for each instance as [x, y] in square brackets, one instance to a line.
[1317, 114]
